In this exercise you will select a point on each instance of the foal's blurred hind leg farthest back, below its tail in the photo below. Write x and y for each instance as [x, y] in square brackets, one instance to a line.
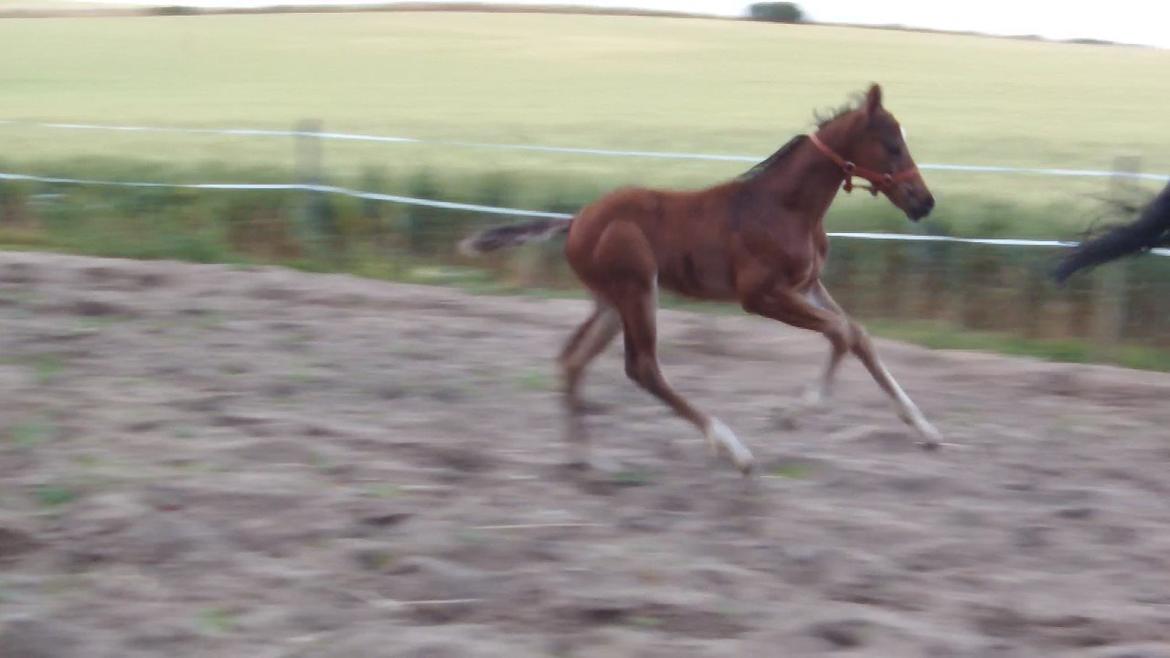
[584, 346]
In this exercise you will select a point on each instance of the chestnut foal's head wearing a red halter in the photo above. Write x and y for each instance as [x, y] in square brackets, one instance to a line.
[875, 142]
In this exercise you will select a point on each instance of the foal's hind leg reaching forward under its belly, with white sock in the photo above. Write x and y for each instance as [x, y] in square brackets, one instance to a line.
[638, 306]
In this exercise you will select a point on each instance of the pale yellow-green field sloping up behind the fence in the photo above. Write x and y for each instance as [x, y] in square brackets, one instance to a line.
[646, 84]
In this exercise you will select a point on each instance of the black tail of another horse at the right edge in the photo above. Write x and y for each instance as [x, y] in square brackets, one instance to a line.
[1152, 229]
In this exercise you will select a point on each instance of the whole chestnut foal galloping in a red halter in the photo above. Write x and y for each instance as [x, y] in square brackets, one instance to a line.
[759, 239]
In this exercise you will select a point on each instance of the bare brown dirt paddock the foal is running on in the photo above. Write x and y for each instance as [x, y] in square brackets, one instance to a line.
[205, 461]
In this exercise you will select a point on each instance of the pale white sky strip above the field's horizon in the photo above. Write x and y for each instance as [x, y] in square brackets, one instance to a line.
[1131, 22]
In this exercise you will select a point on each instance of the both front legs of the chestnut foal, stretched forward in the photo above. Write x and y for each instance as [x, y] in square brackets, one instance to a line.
[845, 335]
